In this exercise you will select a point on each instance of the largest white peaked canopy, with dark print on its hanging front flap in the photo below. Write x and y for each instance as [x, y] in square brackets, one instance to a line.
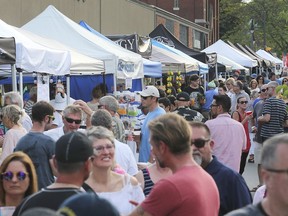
[118, 61]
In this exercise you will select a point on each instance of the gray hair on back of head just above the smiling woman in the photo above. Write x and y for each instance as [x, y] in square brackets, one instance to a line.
[102, 118]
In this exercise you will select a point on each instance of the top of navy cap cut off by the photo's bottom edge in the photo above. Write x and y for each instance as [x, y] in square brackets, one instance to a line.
[87, 204]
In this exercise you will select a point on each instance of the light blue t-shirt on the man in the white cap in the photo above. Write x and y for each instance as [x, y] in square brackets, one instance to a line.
[145, 148]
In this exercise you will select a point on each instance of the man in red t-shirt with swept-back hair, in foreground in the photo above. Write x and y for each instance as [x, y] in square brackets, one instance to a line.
[189, 190]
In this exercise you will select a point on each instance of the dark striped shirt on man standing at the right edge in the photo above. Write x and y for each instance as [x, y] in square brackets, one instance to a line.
[278, 115]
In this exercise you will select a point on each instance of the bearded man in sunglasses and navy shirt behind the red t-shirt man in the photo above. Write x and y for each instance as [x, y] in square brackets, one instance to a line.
[233, 190]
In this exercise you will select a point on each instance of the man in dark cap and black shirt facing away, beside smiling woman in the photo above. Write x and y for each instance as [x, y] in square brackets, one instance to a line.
[72, 162]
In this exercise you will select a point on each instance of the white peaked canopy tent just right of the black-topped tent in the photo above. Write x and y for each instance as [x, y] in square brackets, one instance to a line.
[222, 48]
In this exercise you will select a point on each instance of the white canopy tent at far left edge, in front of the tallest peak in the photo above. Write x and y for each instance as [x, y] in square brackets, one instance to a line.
[33, 57]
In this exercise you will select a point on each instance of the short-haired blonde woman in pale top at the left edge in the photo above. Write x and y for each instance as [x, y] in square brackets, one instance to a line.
[11, 118]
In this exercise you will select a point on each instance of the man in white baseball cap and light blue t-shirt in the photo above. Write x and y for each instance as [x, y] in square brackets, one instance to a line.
[149, 99]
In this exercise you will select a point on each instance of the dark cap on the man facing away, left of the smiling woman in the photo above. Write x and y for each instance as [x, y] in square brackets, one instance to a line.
[73, 147]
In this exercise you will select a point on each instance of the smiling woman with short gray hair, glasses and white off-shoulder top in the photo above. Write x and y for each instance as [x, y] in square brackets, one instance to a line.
[120, 190]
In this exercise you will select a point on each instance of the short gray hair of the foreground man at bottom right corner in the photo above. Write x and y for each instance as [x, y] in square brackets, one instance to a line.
[269, 157]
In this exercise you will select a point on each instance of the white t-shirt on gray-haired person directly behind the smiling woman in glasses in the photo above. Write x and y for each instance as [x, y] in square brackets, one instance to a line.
[125, 158]
